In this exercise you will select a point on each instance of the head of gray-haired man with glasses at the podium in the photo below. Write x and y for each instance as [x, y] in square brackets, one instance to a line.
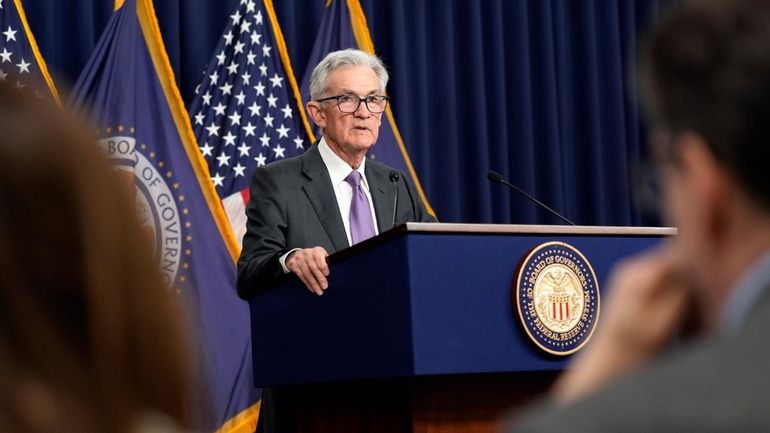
[349, 74]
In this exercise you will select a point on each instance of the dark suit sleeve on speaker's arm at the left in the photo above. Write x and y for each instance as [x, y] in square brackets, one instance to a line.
[265, 238]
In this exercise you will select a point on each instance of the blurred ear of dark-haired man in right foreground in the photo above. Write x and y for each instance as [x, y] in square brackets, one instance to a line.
[708, 180]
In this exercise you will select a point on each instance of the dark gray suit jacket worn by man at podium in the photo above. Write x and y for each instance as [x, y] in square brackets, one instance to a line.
[292, 205]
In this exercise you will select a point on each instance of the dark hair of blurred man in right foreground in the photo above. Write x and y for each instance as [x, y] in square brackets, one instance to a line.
[706, 69]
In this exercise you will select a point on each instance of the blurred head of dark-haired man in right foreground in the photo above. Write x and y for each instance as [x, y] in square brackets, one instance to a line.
[706, 87]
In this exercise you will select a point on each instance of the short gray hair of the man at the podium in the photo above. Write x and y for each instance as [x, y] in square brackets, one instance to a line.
[319, 80]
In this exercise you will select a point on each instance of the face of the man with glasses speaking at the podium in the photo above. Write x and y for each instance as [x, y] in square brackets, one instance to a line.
[352, 132]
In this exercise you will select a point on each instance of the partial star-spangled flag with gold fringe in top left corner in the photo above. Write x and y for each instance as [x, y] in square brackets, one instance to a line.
[21, 64]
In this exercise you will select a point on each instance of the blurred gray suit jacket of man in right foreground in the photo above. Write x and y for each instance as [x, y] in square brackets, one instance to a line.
[718, 385]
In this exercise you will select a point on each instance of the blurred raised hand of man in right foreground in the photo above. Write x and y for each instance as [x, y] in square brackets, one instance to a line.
[647, 304]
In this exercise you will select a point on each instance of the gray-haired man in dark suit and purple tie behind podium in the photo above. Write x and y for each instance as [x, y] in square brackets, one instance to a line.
[302, 209]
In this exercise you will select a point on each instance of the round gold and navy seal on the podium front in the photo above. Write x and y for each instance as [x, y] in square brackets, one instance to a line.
[557, 298]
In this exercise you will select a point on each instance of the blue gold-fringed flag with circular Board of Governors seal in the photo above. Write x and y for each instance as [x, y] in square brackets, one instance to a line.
[129, 88]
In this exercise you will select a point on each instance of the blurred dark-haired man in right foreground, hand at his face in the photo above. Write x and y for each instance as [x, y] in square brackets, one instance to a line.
[706, 85]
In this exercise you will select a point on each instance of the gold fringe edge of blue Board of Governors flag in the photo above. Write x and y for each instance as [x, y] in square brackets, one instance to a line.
[149, 23]
